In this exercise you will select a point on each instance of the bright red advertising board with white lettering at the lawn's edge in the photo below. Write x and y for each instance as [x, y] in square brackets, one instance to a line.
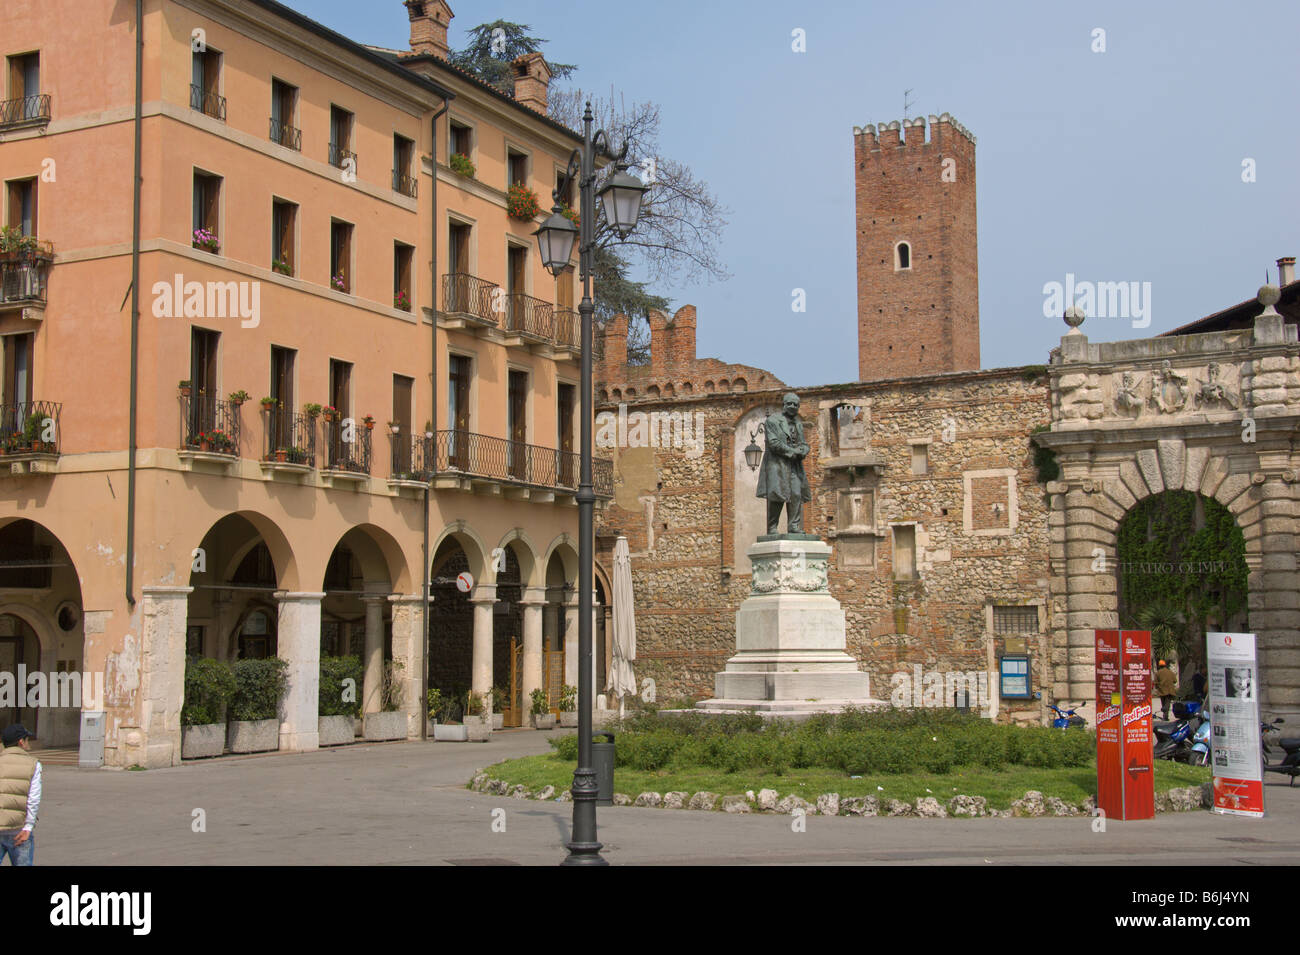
[1126, 788]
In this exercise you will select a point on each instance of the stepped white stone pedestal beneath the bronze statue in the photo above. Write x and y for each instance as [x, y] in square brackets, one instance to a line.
[790, 640]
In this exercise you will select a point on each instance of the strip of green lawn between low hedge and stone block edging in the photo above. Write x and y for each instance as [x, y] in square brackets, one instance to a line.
[999, 787]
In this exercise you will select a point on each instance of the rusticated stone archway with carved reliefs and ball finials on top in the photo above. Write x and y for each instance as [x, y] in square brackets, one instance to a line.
[1136, 419]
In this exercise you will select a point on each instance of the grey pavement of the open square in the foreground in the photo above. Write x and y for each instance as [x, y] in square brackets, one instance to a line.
[406, 804]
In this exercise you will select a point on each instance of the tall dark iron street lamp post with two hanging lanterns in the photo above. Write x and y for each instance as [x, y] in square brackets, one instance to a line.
[621, 196]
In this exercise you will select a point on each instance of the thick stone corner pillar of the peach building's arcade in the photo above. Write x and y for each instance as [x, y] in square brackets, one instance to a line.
[164, 613]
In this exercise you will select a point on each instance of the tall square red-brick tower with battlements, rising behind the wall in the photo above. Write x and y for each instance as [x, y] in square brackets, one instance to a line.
[918, 289]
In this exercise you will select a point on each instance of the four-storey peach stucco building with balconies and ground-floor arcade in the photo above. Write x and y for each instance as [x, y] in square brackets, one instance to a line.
[304, 240]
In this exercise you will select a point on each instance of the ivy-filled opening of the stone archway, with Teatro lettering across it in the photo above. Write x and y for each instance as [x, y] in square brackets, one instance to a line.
[1182, 572]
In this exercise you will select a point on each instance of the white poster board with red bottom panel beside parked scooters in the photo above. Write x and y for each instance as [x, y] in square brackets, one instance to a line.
[1236, 724]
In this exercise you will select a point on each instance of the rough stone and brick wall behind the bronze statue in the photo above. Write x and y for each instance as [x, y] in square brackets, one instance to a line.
[679, 511]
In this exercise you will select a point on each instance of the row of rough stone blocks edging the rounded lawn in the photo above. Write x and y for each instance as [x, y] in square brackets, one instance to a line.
[1033, 805]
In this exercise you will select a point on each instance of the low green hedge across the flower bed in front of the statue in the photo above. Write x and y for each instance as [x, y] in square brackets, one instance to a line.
[856, 744]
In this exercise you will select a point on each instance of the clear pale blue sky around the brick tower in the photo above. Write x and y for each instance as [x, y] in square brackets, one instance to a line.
[1124, 166]
